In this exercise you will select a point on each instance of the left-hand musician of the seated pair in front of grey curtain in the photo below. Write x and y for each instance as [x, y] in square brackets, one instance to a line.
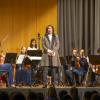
[69, 72]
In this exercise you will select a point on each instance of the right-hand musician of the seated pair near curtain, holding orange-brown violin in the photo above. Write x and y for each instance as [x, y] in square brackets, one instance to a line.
[82, 68]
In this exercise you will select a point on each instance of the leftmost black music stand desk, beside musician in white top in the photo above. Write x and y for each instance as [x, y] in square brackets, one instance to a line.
[10, 58]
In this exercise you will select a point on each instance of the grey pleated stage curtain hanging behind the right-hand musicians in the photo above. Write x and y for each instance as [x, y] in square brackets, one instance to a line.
[79, 25]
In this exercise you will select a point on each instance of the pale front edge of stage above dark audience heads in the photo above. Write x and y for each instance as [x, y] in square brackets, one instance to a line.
[26, 90]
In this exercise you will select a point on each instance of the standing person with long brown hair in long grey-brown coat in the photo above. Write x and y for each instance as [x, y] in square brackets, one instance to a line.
[50, 58]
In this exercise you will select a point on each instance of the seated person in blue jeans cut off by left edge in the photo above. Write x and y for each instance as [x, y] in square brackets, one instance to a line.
[6, 67]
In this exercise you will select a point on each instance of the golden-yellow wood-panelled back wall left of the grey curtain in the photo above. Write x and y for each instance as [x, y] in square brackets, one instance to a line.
[21, 20]
